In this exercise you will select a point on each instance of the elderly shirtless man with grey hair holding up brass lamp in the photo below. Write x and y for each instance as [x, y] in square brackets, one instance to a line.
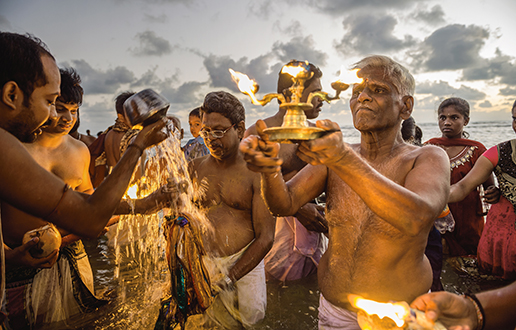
[383, 195]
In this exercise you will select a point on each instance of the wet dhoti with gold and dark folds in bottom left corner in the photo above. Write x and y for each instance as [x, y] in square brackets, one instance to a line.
[42, 296]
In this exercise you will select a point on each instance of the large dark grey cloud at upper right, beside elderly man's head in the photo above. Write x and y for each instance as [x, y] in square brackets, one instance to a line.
[452, 47]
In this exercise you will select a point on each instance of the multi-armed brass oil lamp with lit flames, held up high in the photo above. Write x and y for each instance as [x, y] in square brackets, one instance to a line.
[295, 126]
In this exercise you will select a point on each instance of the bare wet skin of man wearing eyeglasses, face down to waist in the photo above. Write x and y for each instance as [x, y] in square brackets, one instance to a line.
[233, 201]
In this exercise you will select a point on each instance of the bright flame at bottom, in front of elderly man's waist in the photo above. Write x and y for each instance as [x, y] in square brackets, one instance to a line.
[396, 312]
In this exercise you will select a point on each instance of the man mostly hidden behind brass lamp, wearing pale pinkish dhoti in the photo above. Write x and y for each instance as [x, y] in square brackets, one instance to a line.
[299, 241]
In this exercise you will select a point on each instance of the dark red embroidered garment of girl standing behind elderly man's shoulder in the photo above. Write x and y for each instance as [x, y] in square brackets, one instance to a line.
[468, 214]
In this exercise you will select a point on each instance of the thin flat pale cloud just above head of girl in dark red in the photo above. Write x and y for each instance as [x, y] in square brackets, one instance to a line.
[442, 89]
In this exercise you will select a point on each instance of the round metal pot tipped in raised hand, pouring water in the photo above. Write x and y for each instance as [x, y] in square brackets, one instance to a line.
[145, 107]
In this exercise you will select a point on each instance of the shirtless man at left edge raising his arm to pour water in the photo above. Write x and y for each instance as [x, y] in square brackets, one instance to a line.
[29, 80]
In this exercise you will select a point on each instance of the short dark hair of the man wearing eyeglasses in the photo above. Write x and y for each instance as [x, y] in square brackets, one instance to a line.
[225, 104]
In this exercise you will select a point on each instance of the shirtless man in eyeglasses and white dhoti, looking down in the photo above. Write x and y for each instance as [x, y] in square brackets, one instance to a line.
[243, 228]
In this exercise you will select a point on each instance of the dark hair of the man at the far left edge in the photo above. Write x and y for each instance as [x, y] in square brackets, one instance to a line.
[20, 61]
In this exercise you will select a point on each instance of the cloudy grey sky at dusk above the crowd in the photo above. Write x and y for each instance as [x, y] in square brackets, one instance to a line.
[184, 48]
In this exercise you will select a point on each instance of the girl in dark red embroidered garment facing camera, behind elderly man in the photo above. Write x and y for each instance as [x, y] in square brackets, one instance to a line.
[453, 114]
